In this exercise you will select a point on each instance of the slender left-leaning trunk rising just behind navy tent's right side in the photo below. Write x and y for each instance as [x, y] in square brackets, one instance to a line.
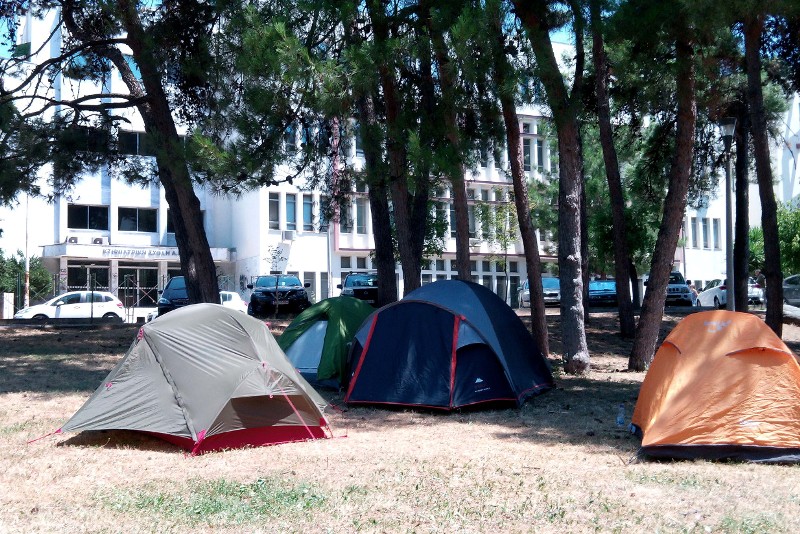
[502, 68]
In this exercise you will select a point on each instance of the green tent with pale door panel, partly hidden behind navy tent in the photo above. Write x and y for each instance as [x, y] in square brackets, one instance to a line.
[317, 341]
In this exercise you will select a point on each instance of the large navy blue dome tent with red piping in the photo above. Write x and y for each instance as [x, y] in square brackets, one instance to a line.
[446, 345]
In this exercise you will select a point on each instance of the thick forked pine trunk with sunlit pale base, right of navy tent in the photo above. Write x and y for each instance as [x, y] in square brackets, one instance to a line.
[576, 353]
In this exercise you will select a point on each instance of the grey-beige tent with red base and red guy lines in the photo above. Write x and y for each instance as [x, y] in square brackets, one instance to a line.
[206, 377]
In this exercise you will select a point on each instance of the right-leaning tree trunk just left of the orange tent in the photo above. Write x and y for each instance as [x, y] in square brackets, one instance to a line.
[644, 342]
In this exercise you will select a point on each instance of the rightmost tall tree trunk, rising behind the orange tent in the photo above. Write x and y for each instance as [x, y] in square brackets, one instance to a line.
[753, 28]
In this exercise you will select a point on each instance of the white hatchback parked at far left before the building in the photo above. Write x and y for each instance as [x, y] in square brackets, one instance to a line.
[76, 305]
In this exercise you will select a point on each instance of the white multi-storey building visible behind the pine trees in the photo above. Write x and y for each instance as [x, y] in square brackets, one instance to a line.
[119, 236]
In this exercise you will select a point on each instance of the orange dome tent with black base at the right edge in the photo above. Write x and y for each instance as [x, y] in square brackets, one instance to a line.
[721, 386]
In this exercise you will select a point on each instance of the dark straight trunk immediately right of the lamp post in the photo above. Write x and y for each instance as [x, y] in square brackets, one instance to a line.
[741, 244]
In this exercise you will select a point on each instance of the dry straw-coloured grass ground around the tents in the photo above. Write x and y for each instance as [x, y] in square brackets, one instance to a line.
[558, 464]
